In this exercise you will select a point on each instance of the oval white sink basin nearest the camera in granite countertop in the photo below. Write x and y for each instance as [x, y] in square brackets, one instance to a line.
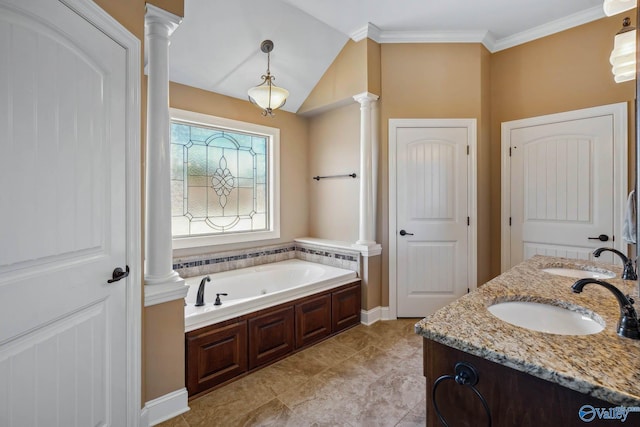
[545, 318]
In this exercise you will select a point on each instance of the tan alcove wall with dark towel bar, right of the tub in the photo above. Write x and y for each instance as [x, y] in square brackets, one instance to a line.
[334, 149]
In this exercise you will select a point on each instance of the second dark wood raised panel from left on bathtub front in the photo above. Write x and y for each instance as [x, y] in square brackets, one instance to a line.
[270, 336]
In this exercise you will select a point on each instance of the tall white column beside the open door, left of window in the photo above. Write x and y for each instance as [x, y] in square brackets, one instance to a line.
[159, 25]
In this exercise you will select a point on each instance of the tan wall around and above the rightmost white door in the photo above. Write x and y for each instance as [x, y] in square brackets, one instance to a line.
[565, 71]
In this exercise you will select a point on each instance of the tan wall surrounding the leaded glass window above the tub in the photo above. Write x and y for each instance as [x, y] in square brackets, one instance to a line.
[294, 170]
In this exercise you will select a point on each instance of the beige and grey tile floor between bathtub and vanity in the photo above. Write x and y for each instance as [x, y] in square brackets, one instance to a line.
[366, 376]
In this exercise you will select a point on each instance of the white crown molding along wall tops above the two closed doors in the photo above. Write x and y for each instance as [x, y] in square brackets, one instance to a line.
[485, 37]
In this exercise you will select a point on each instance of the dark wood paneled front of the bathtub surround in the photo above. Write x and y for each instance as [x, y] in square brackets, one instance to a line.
[221, 352]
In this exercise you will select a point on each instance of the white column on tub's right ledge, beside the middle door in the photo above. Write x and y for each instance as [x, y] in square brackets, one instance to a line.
[368, 167]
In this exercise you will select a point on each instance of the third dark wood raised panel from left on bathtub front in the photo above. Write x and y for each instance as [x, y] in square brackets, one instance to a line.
[313, 320]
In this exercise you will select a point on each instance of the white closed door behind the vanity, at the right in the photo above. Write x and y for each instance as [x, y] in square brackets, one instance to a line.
[563, 186]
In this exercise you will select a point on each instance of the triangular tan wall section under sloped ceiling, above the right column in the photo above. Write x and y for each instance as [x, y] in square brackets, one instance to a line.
[345, 77]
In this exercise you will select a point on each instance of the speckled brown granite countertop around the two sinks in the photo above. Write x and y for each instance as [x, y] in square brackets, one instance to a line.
[602, 365]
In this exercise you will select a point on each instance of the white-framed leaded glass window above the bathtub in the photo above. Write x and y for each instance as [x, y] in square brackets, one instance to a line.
[224, 180]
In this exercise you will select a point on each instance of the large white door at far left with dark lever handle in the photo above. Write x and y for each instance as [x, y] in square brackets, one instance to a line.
[63, 349]
